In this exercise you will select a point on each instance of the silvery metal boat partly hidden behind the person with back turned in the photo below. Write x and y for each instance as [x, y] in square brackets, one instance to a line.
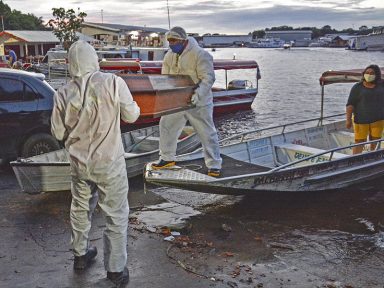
[50, 172]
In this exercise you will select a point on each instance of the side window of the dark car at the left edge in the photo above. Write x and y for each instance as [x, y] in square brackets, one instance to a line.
[14, 90]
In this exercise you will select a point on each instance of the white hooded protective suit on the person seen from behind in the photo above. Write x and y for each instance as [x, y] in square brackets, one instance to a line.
[86, 116]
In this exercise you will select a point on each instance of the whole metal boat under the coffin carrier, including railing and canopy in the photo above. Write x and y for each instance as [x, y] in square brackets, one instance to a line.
[286, 158]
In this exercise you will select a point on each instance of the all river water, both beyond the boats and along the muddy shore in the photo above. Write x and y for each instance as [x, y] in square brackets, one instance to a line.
[310, 240]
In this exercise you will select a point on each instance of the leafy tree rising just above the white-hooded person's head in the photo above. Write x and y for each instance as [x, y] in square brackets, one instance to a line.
[66, 24]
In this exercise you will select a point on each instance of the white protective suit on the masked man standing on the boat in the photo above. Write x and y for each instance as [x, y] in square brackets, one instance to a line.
[197, 63]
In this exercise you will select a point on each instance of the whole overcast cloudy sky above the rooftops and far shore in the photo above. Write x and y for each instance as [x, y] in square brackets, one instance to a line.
[218, 16]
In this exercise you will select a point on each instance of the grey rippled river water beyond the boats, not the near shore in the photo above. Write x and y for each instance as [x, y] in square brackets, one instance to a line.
[289, 89]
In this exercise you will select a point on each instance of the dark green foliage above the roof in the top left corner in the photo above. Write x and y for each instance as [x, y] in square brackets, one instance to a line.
[15, 20]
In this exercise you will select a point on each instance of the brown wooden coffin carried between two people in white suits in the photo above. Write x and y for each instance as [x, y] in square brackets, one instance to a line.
[159, 95]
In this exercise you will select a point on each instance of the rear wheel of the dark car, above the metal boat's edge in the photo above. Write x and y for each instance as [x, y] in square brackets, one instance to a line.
[38, 144]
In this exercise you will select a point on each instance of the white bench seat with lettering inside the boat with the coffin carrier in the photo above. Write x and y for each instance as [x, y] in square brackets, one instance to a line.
[288, 152]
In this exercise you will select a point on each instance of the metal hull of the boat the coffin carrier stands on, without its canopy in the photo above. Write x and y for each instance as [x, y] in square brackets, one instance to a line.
[307, 173]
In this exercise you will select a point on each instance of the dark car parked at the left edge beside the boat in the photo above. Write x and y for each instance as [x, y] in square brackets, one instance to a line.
[26, 102]
